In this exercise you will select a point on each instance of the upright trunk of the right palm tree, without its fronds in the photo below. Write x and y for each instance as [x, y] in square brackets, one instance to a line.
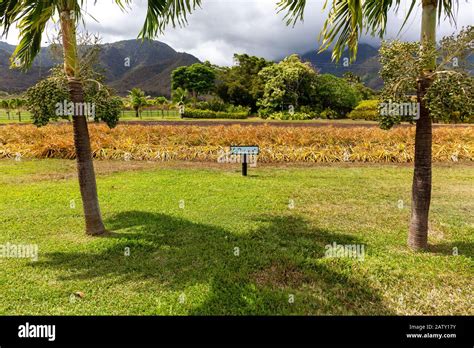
[421, 188]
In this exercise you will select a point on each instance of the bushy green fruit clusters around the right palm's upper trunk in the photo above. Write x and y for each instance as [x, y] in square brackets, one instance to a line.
[450, 95]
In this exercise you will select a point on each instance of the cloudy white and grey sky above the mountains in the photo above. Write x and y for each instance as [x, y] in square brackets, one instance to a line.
[222, 27]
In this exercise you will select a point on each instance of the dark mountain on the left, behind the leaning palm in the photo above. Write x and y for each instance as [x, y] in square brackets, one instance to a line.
[125, 64]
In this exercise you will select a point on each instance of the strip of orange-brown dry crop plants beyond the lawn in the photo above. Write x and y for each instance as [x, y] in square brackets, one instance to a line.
[277, 144]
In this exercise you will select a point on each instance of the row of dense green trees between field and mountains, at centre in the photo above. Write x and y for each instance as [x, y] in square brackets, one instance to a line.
[267, 87]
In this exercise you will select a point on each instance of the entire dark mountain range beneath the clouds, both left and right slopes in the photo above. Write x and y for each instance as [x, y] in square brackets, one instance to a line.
[148, 65]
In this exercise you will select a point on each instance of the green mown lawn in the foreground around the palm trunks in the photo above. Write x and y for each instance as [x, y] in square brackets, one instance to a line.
[183, 259]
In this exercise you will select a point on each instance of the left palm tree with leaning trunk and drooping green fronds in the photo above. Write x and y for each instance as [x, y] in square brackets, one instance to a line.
[31, 17]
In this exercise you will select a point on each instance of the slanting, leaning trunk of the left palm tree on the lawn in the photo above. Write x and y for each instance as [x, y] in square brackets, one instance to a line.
[85, 166]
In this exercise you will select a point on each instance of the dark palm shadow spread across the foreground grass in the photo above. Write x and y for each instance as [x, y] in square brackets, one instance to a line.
[255, 273]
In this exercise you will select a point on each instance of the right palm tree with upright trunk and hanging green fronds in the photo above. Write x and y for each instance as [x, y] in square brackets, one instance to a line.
[346, 22]
